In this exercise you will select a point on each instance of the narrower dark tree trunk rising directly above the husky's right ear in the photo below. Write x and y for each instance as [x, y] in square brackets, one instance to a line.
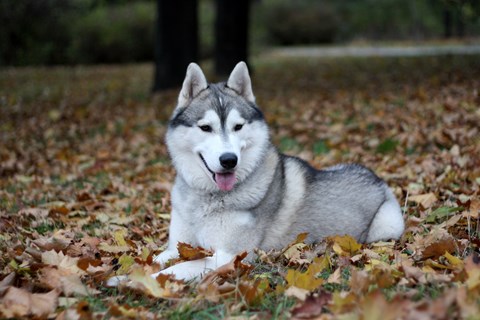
[231, 34]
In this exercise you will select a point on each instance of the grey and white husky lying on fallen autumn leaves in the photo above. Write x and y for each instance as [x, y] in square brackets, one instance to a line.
[235, 192]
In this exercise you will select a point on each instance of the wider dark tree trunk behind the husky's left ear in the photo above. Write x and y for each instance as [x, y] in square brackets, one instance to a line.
[176, 41]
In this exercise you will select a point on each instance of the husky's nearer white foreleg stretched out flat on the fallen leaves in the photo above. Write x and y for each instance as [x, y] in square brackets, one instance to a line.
[195, 269]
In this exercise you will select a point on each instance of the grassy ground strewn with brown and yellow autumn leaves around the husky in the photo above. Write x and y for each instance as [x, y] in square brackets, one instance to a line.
[85, 180]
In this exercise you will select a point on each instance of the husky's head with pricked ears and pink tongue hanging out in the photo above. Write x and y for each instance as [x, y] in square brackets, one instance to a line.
[217, 135]
